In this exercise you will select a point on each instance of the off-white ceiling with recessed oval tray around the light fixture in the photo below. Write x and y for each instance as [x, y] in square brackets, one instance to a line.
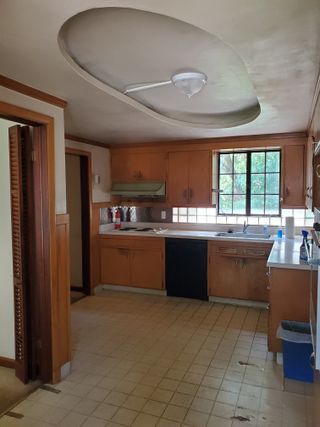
[275, 44]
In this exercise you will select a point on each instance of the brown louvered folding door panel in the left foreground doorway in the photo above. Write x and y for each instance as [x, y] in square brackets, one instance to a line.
[19, 214]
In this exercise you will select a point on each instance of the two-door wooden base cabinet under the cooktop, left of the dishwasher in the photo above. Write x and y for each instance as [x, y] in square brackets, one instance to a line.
[132, 261]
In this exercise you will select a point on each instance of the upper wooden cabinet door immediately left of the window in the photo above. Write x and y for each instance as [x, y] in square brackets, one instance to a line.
[200, 184]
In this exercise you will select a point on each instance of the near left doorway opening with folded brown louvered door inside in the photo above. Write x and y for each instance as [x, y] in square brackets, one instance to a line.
[25, 342]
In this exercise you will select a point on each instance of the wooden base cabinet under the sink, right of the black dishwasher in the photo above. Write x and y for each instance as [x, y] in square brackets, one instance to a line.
[238, 270]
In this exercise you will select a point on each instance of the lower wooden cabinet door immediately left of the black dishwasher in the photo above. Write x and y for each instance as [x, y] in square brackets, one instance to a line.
[147, 268]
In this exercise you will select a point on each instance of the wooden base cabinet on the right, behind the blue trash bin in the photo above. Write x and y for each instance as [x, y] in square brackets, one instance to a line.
[289, 300]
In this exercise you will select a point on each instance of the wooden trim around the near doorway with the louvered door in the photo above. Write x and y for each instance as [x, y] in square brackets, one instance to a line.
[8, 111]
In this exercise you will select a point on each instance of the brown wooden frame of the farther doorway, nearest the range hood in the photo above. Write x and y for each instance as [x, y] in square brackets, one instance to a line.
[86, 210]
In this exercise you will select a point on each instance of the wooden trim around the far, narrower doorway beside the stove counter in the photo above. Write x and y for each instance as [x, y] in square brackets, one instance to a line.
[87, 154]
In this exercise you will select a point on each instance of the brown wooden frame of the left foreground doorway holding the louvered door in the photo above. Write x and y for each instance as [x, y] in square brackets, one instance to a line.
[48, 306]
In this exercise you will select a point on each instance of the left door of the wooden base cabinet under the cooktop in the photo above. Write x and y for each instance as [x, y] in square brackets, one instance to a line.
[115, 266]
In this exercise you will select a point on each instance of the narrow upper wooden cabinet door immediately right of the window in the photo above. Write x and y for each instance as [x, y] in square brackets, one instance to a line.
[293, 176]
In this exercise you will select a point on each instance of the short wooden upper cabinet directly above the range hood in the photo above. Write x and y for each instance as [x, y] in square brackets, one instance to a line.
[133, 167]
